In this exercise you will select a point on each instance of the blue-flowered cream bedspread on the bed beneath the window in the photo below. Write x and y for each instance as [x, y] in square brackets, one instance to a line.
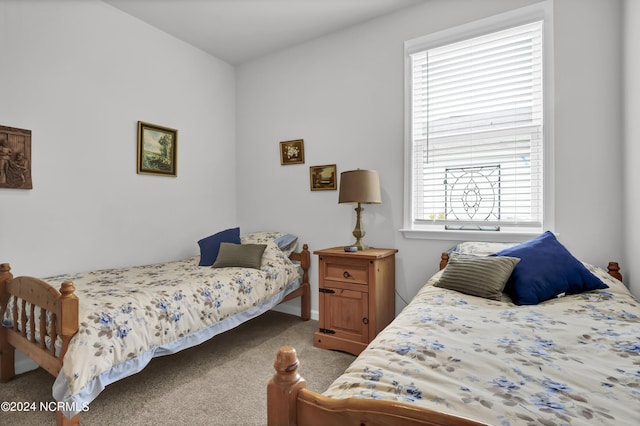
[573, 360]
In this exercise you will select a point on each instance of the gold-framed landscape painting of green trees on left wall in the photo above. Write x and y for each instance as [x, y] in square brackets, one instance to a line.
[157, 150]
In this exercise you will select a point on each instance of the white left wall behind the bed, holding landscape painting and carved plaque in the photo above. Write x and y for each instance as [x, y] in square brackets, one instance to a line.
[80, 75]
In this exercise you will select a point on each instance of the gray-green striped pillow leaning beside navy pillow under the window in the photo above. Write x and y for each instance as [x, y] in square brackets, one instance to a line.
[481, 276]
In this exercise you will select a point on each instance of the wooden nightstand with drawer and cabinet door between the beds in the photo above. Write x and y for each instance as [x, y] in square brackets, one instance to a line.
[357, 297]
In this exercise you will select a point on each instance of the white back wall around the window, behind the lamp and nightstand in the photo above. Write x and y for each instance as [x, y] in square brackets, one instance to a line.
[343, 94]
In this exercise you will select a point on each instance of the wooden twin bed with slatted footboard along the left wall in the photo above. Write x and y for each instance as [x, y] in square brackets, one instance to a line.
[102, 326]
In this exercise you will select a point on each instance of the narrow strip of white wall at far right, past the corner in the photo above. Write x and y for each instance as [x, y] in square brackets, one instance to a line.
[631, 95]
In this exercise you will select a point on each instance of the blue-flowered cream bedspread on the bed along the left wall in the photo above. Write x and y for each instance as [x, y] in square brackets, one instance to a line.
[129, 315]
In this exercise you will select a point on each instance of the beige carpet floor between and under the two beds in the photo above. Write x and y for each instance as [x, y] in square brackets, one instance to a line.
[220, 382]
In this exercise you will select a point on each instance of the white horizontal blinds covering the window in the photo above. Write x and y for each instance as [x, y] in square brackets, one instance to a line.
[476, 131]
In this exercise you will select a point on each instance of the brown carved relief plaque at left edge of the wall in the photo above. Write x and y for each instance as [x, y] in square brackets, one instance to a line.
[15, 158]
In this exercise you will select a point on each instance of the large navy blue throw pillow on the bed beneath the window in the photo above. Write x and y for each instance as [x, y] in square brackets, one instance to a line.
[546, 270]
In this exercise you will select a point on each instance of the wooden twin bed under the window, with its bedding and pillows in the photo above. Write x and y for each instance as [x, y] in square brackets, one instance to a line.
[454, 358]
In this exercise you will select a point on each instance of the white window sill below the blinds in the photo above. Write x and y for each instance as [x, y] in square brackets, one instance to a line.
[502, 236]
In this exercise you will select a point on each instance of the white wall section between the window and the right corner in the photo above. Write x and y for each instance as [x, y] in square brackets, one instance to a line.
[588, 136]
